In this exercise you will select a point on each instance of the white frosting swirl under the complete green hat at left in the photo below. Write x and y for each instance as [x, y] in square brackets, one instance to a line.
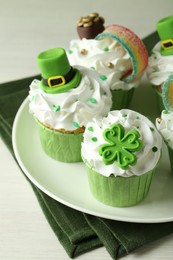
[73, 108]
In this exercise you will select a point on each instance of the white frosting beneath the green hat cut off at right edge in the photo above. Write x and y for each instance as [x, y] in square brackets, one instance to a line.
[159, 66]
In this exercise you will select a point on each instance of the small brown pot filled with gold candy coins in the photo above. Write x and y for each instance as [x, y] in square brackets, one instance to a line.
[89, 26]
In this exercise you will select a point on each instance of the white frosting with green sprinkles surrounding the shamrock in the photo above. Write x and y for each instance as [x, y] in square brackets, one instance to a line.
[147, 157]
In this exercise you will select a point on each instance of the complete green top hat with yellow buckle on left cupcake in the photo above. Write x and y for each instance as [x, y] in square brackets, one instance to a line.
[57, 74]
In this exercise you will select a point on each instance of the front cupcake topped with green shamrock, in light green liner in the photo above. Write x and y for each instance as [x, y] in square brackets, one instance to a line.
[121, 152]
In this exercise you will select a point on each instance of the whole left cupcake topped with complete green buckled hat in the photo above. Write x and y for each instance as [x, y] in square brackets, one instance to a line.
[63, 102]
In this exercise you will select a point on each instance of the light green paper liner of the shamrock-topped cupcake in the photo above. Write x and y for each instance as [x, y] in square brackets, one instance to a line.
[119, 191]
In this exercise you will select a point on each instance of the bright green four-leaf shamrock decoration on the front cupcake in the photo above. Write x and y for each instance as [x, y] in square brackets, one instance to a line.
[121, 146]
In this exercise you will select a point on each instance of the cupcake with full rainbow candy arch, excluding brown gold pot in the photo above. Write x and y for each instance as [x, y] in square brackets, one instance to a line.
[118, 55]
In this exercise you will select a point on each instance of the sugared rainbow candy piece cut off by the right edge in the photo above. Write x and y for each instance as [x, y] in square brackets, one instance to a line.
[167, 93]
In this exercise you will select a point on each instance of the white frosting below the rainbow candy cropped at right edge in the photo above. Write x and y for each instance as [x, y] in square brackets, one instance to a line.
[165, 127]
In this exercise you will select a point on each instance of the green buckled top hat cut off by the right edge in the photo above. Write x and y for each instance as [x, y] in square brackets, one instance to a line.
[165, 31]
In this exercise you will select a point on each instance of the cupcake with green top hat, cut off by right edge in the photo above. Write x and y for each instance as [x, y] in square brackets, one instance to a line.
[160, 65]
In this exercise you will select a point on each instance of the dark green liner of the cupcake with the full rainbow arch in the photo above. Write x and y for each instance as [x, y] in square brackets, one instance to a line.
[121, 98]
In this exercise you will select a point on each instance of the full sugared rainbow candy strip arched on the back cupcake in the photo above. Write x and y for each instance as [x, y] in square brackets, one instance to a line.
[132, 44]
